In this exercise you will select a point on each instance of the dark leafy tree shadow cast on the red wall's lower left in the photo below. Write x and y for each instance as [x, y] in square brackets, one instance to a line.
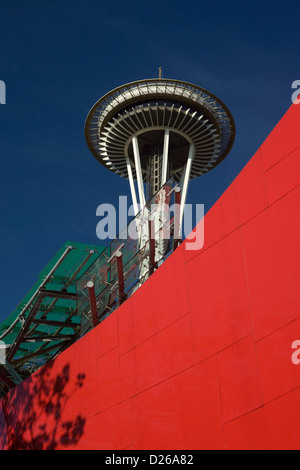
[33, 414]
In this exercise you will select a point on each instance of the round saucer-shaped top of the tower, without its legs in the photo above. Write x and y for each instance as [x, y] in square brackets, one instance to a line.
[145, 108]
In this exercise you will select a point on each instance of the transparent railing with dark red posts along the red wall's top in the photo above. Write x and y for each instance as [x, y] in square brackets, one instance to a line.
[131, 258]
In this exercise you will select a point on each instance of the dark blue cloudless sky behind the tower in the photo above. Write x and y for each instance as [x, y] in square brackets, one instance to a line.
[58, 58]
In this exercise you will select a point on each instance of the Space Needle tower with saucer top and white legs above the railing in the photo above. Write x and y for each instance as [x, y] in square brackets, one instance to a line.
[149, 131]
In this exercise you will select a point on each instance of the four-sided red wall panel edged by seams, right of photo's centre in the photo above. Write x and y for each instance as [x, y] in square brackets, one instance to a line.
[219, 299]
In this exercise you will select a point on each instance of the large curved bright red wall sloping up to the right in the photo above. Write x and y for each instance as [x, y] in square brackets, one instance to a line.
[200, 356]
